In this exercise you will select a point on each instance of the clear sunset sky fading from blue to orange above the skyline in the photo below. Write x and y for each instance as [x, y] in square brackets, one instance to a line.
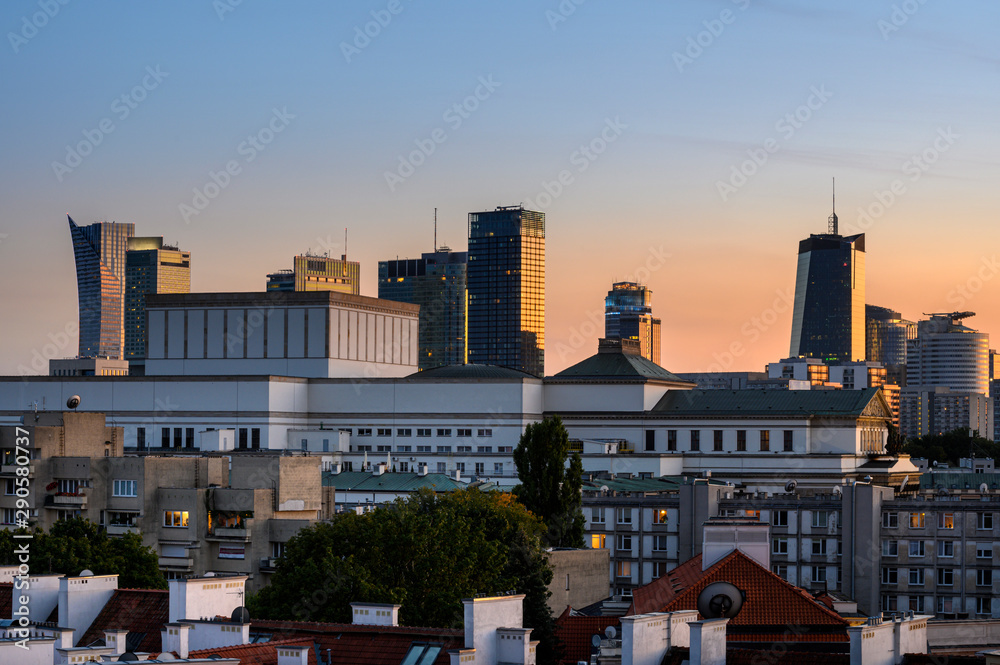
[688, 144]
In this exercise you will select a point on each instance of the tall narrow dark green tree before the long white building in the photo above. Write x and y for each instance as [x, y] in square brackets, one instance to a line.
[548, 488]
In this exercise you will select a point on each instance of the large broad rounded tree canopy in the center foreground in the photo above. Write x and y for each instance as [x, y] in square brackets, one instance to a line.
[425, 553]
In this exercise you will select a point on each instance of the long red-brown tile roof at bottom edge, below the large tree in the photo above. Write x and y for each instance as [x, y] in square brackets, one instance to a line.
[351, 644]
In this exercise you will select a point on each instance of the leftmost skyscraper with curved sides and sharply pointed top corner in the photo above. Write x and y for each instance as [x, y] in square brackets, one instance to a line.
[99, 250]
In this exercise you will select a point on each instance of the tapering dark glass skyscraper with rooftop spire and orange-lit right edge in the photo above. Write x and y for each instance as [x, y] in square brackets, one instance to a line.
[828, 317]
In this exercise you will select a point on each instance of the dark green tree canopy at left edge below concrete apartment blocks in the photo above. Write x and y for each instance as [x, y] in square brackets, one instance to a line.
[74, 545]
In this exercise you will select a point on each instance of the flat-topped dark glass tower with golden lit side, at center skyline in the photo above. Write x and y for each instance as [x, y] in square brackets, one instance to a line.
[507, 289]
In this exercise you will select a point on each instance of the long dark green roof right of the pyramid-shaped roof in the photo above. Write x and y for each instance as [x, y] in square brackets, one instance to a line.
[765, 402]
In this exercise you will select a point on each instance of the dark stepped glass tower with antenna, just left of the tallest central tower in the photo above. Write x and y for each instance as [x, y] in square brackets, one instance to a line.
[437, 282]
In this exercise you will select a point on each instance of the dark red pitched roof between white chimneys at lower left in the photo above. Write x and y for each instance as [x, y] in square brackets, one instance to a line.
[142, 612]
